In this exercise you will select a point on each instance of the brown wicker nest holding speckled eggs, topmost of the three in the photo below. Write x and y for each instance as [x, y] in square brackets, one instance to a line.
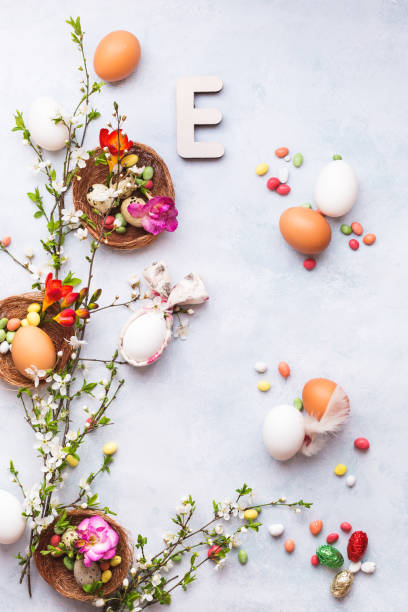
[135, 237]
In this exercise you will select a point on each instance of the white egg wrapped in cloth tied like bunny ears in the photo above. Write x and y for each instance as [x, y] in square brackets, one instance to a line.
[144, 337]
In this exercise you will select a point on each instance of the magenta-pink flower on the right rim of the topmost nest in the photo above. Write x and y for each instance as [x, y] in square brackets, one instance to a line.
[156, 215]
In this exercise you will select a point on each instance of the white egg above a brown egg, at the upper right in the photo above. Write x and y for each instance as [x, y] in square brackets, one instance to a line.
[336, 188]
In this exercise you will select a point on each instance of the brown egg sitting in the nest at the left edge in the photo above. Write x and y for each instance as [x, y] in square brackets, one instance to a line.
[32, 347]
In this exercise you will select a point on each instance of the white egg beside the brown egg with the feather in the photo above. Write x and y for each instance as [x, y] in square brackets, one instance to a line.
[283, 432]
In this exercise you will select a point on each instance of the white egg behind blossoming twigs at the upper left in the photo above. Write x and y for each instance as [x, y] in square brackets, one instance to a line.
[44, 132]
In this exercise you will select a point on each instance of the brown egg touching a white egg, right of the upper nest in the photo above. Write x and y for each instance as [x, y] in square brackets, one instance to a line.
[305, 230]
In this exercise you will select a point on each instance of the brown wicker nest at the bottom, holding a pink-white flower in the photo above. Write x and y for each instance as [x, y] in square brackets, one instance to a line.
[54, 572]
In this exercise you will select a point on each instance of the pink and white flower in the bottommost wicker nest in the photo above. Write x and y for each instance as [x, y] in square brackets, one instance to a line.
[97, 540]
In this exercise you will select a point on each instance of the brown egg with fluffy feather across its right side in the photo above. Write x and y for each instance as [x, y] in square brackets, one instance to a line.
[321, 396]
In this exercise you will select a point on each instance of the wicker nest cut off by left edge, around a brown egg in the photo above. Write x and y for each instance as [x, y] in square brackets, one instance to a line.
[16, 306]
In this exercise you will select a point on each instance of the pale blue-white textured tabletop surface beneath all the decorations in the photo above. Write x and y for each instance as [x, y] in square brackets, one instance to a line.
[320, 77]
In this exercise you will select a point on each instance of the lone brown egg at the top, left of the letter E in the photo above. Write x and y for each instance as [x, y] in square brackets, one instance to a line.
[116, 56]
